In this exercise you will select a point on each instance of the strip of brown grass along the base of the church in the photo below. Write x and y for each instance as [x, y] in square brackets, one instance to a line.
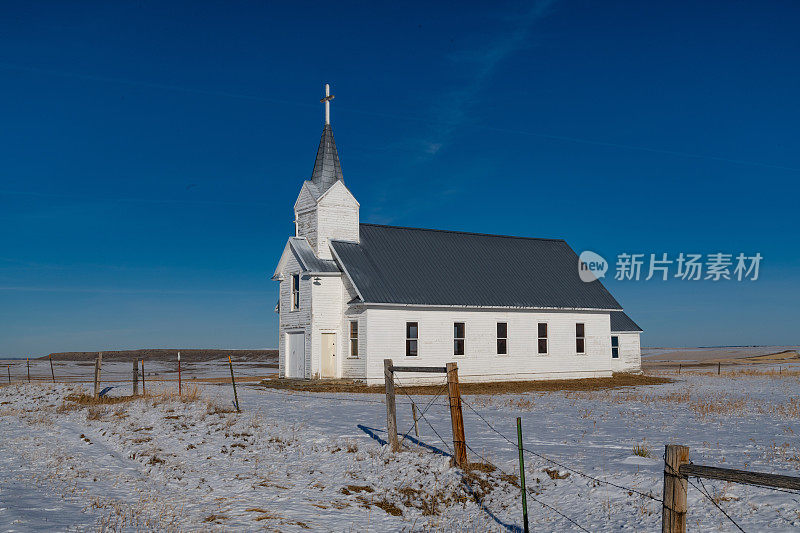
[502, 387]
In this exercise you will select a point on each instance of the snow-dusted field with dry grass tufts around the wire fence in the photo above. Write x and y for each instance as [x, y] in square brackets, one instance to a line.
[297, 461]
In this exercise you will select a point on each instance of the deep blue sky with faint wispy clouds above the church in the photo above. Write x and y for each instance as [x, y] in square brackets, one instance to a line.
[150, 153]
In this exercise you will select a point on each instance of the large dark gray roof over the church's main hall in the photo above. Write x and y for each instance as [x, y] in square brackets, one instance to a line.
[432, 267]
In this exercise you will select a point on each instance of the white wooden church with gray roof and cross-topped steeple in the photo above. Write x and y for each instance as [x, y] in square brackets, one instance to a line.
[504, 308]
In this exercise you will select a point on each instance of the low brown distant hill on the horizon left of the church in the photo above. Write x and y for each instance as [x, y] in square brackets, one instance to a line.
[168, 354]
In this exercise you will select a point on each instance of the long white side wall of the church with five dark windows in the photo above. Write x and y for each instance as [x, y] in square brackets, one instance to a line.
[386, 339]
